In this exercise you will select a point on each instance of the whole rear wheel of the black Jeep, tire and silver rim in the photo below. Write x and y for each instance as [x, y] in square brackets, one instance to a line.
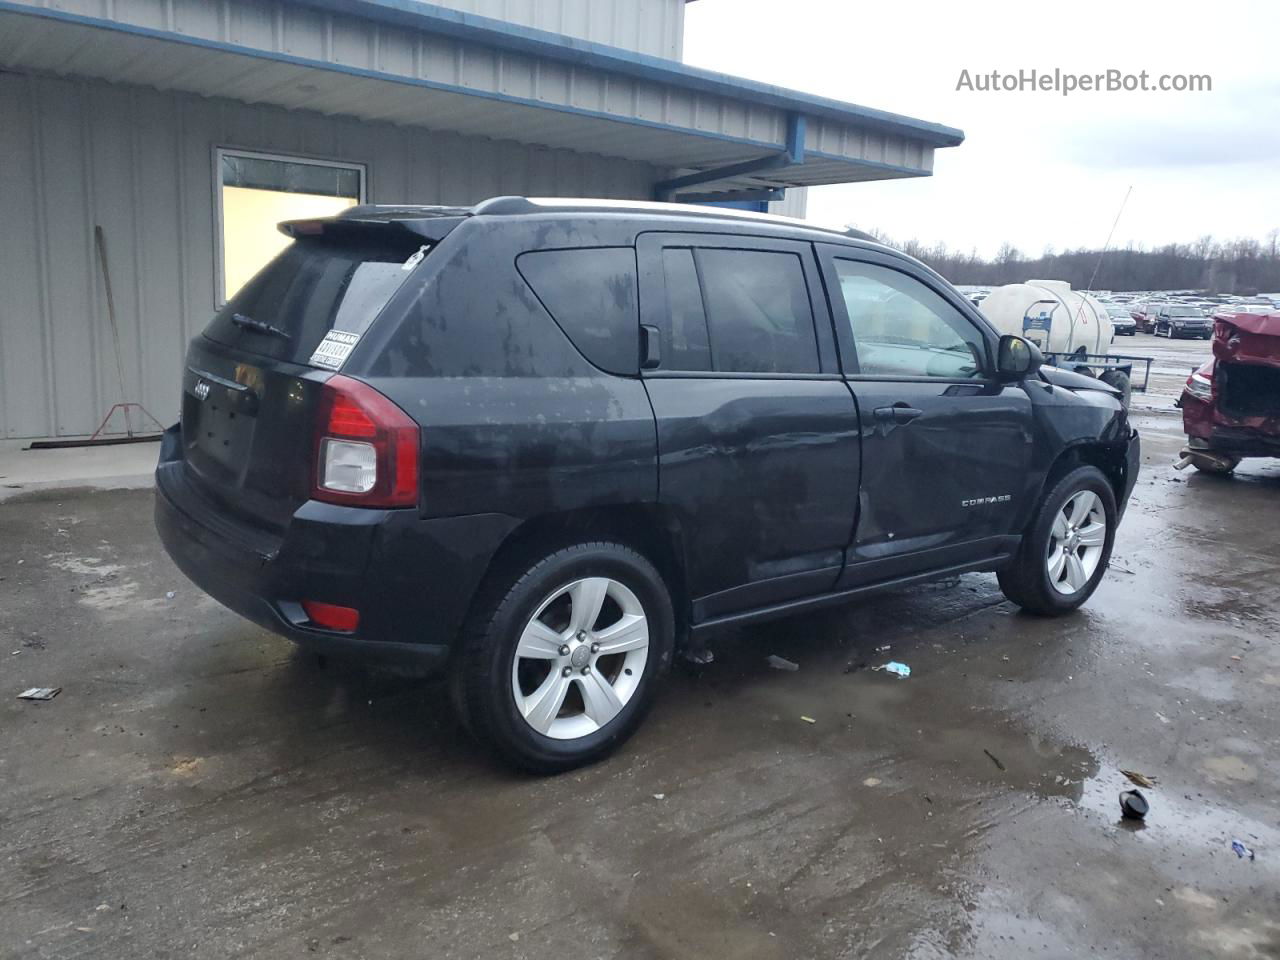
[561, 660]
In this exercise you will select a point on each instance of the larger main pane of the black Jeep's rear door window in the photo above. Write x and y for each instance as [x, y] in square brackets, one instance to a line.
[758, 312]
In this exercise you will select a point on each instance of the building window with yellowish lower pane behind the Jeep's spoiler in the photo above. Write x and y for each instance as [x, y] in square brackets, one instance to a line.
[258, 191]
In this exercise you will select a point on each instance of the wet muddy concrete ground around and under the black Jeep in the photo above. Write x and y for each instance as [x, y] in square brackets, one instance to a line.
[200, 792]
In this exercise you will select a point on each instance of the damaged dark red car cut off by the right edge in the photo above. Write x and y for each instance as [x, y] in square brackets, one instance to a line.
[1232, 405]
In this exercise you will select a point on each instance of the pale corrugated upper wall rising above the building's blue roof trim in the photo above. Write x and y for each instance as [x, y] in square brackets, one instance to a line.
[655, 28]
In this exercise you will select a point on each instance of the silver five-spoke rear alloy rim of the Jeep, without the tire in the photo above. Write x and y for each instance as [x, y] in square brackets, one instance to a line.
[580, 659]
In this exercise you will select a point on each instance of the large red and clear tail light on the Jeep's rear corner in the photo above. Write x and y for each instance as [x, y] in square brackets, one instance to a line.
[367, 449]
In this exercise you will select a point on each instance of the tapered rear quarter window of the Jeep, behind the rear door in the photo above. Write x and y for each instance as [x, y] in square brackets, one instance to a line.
[592, 295]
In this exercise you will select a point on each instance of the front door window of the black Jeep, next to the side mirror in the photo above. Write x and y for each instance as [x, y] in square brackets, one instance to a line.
[902, 328]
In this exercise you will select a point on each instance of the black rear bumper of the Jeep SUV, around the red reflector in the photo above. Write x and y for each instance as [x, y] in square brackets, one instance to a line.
[412, 579]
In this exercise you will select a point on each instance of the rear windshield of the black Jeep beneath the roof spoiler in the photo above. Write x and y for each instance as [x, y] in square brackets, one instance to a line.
[314, 287]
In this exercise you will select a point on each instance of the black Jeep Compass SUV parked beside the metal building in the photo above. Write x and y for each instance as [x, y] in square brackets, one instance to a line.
[545, 446]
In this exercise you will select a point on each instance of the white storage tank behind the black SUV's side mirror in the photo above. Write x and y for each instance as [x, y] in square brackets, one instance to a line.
[1052, 316]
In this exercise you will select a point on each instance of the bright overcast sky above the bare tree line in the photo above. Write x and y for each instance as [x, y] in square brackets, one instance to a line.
[1036, 168]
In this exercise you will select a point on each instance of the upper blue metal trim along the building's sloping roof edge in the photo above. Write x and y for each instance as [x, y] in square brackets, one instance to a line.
[500, 34]
